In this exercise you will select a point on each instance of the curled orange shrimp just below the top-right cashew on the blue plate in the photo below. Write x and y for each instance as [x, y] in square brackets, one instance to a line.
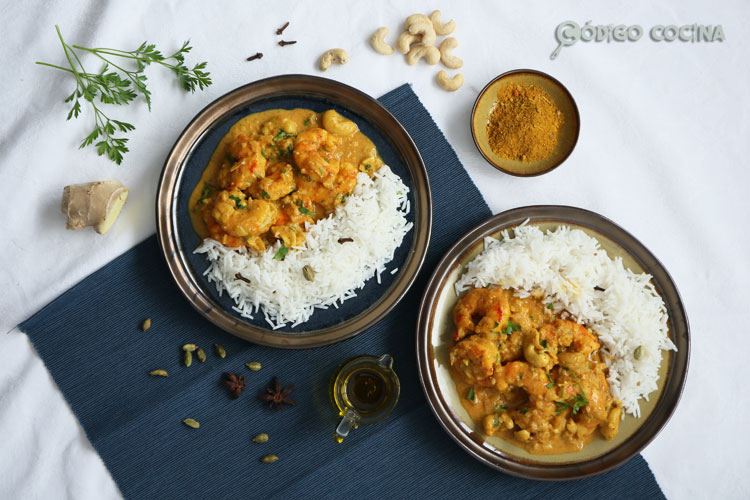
[315, 152]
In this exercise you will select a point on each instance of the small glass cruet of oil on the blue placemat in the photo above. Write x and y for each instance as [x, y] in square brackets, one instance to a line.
[365, 390]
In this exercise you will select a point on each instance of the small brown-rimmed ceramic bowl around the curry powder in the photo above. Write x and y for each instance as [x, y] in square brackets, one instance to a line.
[568, 137]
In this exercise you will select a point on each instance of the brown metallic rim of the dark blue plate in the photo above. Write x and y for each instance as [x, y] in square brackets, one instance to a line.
[278, 86]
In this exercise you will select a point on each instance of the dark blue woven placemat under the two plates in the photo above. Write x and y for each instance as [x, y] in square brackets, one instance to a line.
[90, 340]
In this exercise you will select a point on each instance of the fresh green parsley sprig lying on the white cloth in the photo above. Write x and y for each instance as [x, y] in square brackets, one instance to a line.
[117, 85]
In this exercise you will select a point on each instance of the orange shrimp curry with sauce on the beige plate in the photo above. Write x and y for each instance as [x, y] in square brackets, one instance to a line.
[527, 376]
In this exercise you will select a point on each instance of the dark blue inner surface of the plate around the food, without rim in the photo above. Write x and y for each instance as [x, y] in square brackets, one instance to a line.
[199, 157]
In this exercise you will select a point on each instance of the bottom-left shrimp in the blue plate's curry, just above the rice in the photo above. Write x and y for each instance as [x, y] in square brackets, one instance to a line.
[243, 217]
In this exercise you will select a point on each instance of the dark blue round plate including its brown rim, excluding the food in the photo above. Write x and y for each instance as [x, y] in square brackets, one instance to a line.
[189, 157]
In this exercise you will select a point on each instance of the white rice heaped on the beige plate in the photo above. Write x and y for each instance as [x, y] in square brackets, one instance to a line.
[567, 265]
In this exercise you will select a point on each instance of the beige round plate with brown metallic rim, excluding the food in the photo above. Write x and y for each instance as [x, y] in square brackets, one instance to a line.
[435, 327]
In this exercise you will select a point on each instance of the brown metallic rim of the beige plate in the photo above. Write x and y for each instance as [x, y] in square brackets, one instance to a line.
[471, 442]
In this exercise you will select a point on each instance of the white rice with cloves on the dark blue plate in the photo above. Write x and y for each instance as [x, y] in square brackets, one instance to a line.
[374, 217]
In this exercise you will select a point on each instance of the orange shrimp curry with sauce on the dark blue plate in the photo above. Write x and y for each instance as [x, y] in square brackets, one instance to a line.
[276, 170]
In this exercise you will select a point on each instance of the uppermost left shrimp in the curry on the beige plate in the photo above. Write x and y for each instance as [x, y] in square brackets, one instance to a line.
[481, 310]
